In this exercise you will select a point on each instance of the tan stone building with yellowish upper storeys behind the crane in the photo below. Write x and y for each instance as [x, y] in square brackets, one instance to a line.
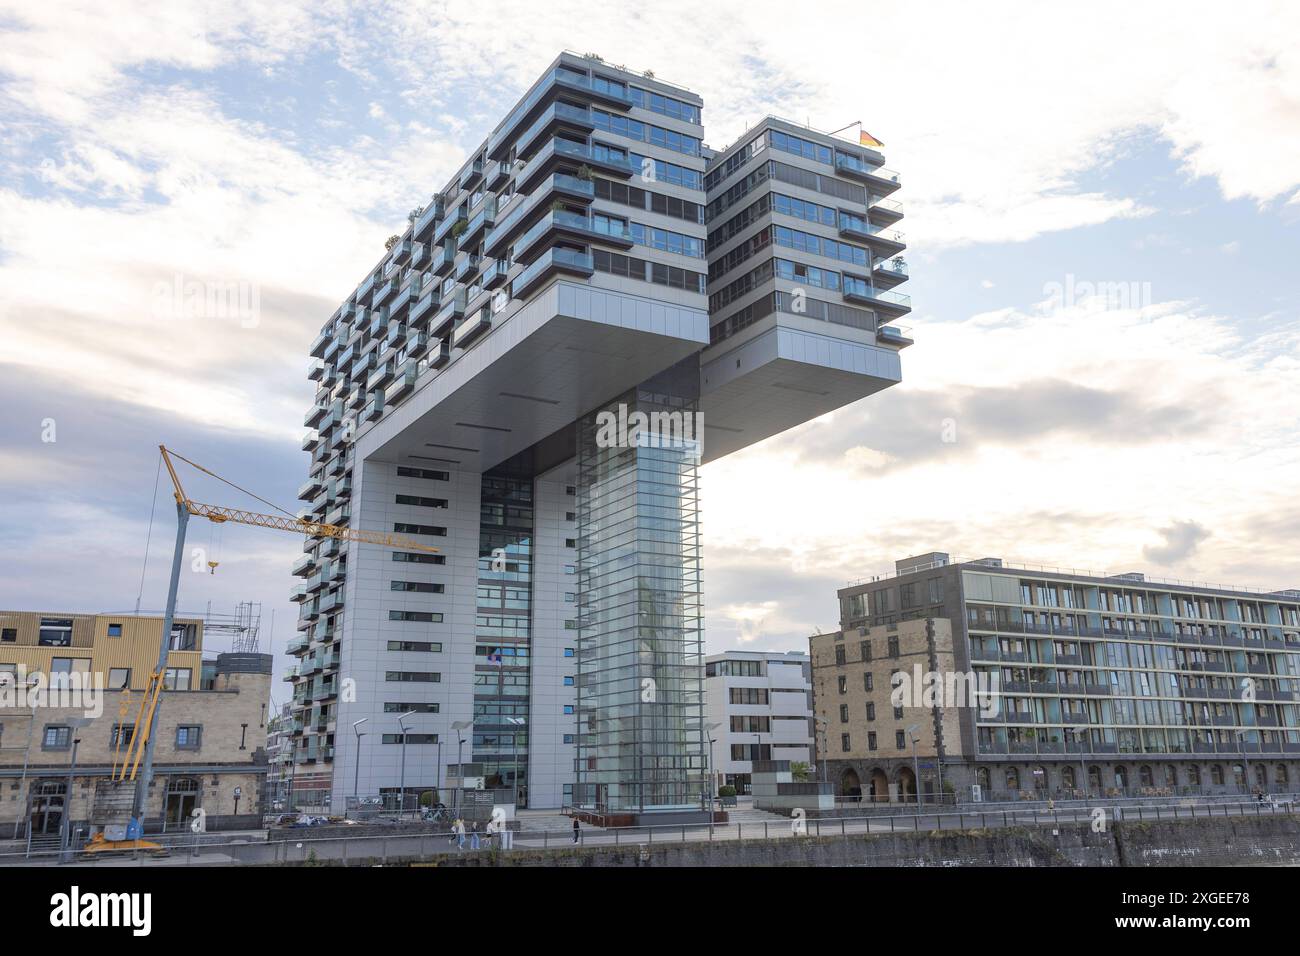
[211, 733]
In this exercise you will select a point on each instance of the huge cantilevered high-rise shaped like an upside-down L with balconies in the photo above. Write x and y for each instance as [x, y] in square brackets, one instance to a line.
[566, 271]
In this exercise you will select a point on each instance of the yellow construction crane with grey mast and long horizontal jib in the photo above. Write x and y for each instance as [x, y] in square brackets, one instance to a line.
[137, 767]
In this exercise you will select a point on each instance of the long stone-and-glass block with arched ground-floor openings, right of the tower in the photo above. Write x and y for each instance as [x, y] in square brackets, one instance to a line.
[1106, 684]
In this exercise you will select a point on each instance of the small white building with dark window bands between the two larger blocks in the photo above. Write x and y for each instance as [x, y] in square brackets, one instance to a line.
[759, 707]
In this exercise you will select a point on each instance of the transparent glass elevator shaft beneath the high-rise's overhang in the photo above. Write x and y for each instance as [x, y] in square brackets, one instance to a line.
[640, 689]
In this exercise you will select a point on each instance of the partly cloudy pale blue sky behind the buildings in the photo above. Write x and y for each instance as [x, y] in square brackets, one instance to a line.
[275, 148]
